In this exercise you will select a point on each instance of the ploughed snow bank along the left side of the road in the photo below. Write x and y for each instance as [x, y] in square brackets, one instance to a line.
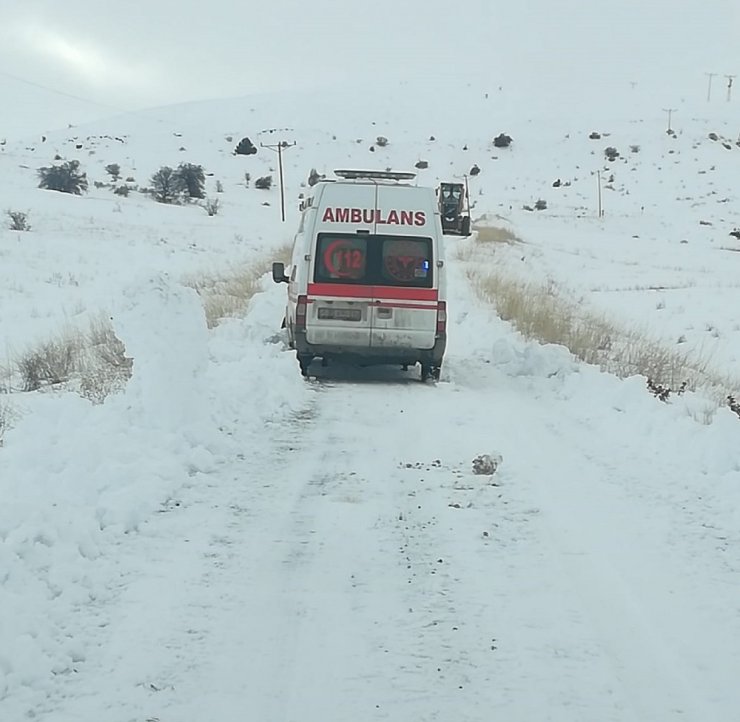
[75, 477]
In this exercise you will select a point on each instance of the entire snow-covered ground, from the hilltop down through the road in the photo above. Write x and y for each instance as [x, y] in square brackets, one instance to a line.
[224, 540]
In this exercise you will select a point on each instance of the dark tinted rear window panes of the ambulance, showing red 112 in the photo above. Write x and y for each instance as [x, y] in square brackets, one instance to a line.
[374, 260]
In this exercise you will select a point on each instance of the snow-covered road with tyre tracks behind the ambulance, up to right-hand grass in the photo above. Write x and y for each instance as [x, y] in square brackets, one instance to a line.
[341, 560]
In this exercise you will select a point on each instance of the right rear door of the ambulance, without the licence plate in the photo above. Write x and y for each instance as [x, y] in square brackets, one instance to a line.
[406, 291]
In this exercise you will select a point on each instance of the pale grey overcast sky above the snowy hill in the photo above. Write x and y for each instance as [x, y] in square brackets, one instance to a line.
[133, 54]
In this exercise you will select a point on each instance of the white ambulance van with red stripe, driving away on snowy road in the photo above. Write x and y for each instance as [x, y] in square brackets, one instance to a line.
[366, 283]
